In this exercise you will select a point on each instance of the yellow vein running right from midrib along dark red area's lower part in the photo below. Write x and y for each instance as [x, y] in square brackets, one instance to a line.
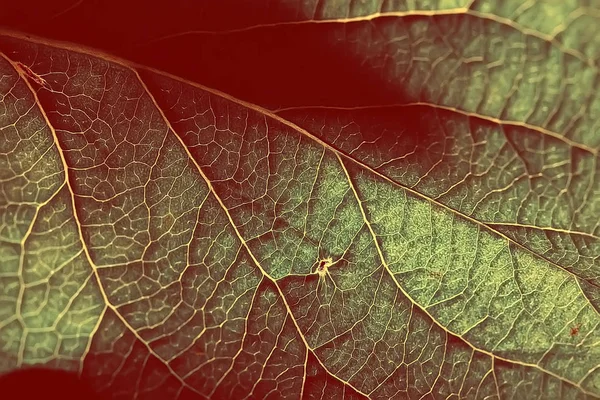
[471, 114]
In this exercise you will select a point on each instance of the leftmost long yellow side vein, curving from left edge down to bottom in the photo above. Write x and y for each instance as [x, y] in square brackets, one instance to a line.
[80, 234]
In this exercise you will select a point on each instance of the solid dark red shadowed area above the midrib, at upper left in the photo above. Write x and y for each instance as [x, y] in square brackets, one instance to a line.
[274, 64]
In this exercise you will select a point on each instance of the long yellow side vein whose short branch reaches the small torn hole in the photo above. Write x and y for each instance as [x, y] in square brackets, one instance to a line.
[235, 228]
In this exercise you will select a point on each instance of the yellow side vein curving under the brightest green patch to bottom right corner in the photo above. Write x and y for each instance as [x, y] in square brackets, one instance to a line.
[424, 310]
